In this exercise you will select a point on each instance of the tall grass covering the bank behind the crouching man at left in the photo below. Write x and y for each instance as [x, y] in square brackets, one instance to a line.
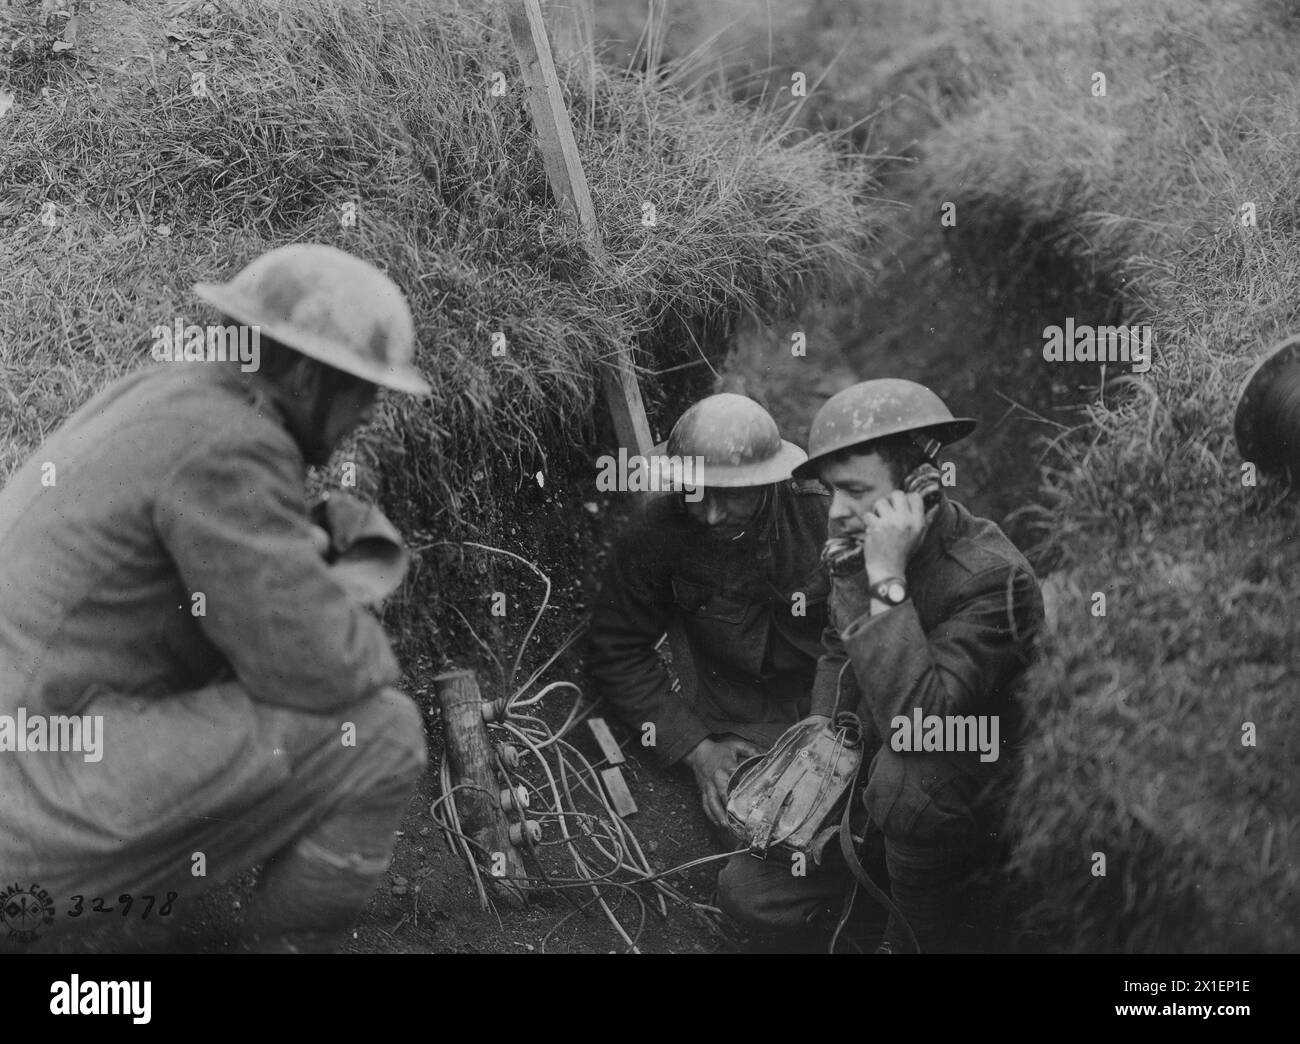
[391, 109]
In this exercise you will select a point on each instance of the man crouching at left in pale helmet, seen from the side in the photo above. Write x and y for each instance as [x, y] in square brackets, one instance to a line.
[161, 575]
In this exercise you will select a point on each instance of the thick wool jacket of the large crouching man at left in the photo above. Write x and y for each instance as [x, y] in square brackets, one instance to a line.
[170, 548]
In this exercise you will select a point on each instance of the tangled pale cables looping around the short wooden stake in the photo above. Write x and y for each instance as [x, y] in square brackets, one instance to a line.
[558, 785]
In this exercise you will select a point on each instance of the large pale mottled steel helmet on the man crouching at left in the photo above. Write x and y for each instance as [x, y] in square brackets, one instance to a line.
[330, 306]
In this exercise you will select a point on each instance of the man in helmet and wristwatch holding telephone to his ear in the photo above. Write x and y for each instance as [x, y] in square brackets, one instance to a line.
[933, 612]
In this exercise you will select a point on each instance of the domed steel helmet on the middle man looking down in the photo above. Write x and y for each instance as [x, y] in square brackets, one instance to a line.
[736, 441]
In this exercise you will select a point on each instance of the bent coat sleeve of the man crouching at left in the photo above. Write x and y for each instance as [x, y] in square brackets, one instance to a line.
[233, 515]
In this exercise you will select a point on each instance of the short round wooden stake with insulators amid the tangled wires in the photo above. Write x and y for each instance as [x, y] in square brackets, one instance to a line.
[470, 753]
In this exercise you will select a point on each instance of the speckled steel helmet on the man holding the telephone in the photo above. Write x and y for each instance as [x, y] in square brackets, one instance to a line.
[874, 410]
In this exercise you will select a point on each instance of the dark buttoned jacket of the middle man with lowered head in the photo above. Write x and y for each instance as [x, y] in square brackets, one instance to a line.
[753, 612]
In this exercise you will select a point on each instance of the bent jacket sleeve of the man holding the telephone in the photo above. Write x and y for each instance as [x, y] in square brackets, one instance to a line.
[967, 662]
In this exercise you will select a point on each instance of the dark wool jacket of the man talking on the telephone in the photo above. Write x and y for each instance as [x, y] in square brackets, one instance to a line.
[956, 647]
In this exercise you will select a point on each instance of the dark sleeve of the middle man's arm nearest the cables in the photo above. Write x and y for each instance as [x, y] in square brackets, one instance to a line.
[632, 613]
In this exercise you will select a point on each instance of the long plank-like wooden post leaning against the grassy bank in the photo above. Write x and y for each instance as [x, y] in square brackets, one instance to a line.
[569, 181]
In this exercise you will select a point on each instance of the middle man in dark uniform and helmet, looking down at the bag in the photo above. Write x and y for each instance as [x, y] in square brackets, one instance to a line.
[736, 578]
